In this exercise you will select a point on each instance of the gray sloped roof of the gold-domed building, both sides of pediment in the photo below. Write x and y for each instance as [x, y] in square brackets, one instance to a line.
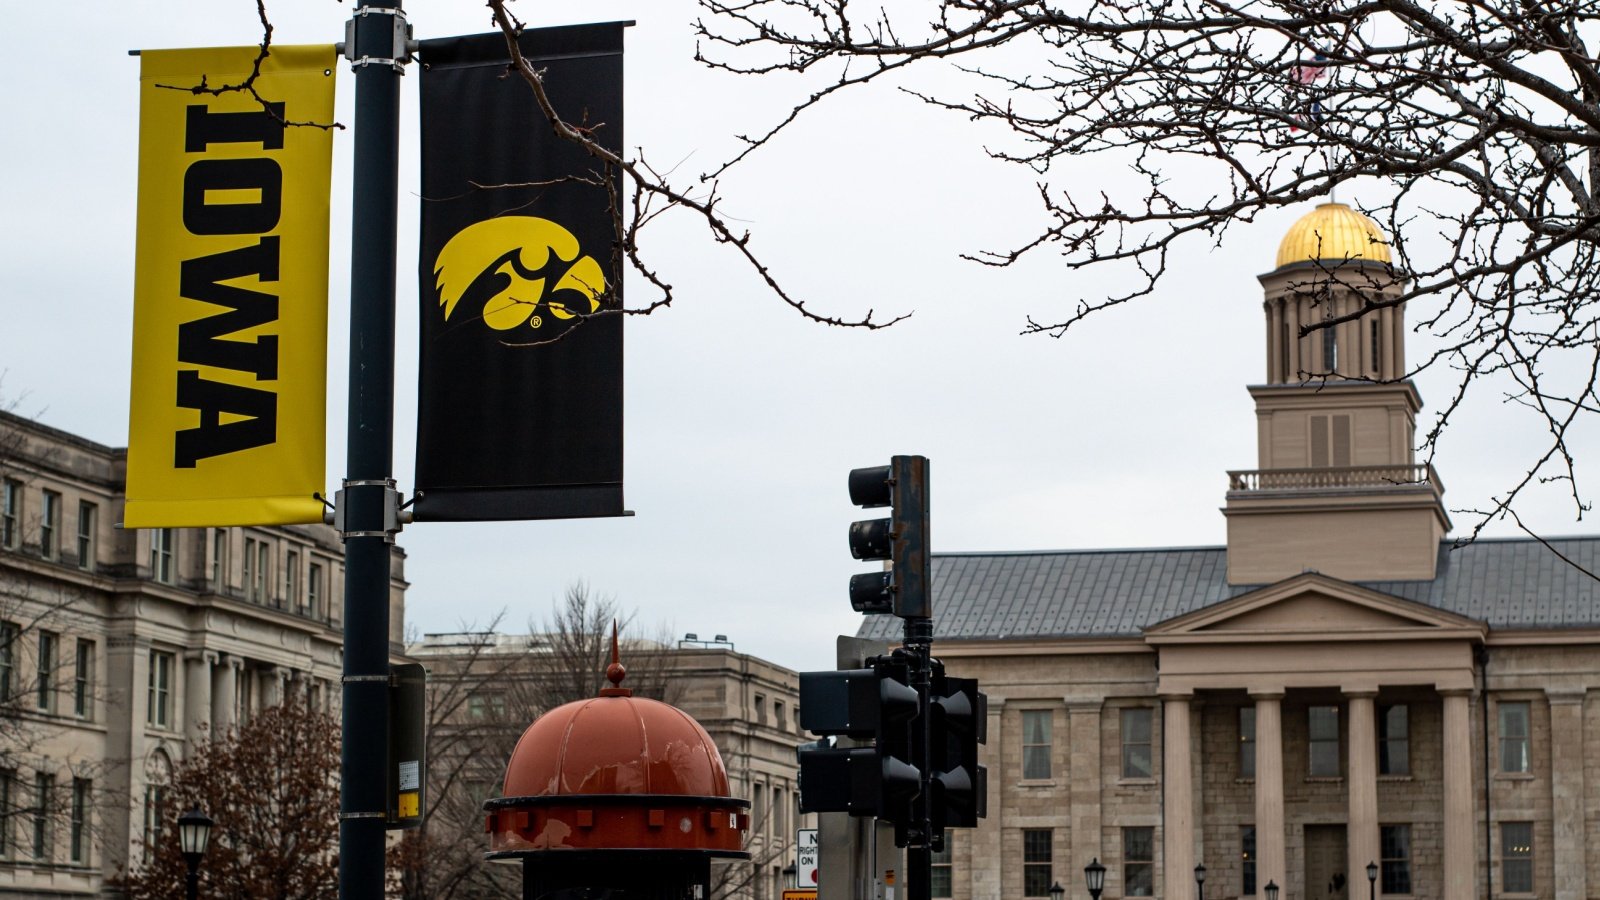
[1110, 593]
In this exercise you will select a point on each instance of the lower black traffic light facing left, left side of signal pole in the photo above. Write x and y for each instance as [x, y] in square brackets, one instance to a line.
[873, 705]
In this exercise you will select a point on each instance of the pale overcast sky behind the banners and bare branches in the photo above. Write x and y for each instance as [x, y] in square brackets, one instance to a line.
[743, 419]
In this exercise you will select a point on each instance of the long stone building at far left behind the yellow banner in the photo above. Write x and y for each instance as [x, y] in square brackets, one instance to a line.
[121, 649]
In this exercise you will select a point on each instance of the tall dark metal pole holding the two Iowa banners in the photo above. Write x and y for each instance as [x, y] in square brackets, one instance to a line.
[369, 507]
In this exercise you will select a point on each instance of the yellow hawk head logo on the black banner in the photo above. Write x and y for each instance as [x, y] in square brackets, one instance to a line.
[527, 268]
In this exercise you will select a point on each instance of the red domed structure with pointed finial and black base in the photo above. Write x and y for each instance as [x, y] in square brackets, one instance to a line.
[612, 790]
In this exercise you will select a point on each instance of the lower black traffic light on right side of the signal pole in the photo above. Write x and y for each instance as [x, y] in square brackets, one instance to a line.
[959, 721]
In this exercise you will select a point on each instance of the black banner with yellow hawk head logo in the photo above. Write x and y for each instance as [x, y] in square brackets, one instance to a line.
[521, 387]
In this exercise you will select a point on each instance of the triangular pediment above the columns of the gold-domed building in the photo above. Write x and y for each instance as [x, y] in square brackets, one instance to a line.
[1314, 608]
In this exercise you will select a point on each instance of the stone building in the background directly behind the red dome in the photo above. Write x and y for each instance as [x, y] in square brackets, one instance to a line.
[750, 707]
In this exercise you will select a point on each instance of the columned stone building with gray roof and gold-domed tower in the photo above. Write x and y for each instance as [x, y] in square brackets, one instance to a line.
[1337, 686]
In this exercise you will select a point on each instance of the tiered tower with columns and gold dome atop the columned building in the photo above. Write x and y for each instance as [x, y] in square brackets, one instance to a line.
[1337, 489]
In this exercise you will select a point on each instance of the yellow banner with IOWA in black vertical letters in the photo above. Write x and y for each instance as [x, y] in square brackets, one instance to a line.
[231, 289]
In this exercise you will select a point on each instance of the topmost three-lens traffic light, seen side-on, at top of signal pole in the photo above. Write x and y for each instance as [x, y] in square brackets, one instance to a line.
[902, 539]
